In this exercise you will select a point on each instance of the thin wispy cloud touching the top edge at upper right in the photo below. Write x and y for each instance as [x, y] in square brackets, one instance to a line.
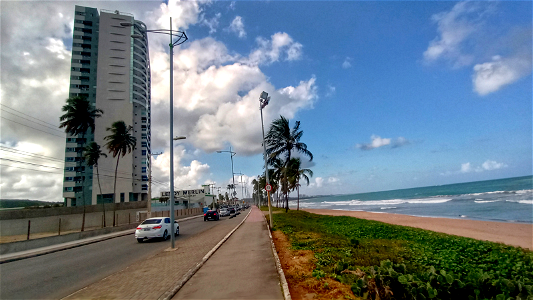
[454, 28]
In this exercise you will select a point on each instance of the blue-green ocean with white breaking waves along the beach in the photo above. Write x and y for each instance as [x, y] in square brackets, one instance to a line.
[503, 200]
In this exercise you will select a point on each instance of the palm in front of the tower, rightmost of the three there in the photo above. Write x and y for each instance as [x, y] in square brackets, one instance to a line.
[119, 142]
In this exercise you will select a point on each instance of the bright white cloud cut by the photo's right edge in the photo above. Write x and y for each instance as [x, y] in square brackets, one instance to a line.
[491, 76]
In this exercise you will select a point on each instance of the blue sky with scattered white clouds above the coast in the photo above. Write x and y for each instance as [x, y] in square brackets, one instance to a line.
[390, 94]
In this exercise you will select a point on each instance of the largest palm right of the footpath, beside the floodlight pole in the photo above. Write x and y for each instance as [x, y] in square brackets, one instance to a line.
[281, 141]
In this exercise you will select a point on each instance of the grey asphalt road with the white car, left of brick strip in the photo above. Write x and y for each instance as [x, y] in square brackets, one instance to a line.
[57, 275]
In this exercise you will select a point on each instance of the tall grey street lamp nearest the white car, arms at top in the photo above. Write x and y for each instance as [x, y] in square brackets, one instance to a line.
[181, 38]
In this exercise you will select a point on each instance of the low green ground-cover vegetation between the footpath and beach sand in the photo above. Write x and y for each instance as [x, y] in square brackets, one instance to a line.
[383, 261]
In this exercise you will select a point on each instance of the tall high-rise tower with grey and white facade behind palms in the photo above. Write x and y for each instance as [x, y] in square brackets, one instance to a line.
[112, 70]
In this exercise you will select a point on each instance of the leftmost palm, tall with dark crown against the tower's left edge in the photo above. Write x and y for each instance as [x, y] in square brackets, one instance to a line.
[78, 120]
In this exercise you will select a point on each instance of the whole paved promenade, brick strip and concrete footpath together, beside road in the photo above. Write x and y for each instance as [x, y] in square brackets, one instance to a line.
[250, 255]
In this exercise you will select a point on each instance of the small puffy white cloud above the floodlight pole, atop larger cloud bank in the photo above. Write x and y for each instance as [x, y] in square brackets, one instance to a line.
[280, 46]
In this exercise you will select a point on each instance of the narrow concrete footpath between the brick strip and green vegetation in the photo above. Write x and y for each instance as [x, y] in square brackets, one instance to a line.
[243, 268]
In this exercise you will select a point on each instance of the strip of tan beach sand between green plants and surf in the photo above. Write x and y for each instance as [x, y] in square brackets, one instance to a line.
[514, 234]
